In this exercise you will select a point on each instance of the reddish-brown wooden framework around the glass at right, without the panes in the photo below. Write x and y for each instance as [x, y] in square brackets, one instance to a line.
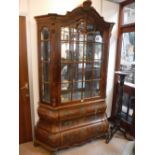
[129, 89]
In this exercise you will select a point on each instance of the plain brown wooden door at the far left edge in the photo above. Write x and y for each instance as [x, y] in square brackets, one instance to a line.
[25, 127]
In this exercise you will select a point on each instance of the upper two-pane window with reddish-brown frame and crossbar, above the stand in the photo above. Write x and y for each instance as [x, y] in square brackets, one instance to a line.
[126, 48]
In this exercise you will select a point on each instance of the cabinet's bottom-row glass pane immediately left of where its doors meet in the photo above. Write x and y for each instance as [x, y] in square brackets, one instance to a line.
[77, 87]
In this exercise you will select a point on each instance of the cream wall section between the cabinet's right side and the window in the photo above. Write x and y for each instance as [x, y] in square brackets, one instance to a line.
[110, 12]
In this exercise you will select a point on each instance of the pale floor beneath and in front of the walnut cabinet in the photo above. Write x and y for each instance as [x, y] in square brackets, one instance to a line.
[117, 146]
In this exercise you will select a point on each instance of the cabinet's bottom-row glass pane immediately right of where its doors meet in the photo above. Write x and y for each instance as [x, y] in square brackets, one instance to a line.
[88, 89]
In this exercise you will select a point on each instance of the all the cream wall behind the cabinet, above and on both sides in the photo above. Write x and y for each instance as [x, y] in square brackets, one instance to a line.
[31, 8]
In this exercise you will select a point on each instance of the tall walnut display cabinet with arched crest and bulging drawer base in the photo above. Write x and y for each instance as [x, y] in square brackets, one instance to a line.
[72, 59]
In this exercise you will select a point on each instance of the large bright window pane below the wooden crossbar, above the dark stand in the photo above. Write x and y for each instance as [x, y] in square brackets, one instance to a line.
[128, 55]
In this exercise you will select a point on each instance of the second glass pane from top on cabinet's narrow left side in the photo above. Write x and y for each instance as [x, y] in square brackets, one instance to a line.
[45, 50]
